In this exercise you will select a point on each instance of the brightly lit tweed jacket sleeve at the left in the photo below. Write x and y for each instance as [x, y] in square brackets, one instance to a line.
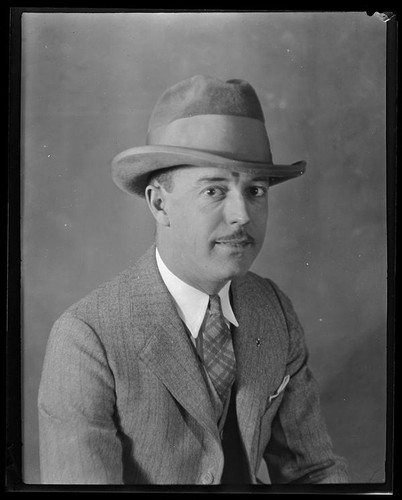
[78, 438]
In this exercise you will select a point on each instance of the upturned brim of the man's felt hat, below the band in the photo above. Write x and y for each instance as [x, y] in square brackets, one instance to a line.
[131, 168]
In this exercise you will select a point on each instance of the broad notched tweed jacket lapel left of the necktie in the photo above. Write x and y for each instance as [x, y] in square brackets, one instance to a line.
[166, 347]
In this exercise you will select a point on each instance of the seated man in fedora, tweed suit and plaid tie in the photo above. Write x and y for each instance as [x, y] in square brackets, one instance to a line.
[187, 368]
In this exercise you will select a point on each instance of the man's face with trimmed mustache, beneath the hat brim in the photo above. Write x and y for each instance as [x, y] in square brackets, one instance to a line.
[216, 224]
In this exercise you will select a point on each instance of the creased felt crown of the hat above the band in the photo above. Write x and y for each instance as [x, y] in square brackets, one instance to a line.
[204, 95]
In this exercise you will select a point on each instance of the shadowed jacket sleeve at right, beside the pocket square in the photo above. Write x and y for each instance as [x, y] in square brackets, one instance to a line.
[300, 449]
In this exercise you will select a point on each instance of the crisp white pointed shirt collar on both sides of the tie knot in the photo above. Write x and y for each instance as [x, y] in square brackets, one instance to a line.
[190, 302]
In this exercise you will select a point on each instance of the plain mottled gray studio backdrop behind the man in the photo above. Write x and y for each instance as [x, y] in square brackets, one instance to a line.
[89, 82]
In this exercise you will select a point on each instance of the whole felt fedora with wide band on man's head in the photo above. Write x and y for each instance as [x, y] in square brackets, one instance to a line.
[203, 121]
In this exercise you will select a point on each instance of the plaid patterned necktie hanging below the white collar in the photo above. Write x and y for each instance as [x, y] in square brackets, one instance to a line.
[219, 358]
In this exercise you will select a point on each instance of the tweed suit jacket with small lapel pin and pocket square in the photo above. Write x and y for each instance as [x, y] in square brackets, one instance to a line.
[122, 398]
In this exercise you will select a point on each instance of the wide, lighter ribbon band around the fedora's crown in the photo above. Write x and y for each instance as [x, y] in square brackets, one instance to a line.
[233, 136]
